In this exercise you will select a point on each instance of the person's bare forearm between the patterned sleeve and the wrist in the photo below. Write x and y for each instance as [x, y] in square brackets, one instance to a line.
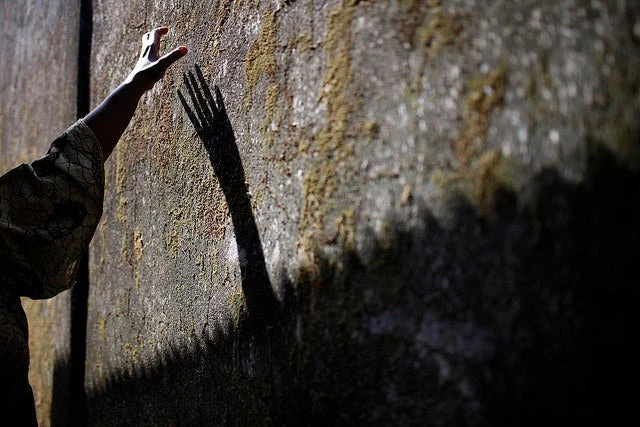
[109, 120]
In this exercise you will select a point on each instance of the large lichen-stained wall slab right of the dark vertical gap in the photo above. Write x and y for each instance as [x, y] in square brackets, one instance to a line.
[445, 194]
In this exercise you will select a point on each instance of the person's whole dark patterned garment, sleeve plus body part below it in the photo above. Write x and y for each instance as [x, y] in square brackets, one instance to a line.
[49, 210]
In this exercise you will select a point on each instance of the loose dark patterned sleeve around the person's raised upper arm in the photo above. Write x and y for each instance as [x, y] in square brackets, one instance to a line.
[49, 210]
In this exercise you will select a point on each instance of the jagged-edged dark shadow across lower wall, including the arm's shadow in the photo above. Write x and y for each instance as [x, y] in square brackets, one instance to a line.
[524, 316]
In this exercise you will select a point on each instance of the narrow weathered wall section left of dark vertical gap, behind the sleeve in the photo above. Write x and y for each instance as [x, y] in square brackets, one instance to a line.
[38, 47]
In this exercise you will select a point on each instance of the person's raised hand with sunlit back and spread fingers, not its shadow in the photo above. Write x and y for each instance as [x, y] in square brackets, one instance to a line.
[151, 66]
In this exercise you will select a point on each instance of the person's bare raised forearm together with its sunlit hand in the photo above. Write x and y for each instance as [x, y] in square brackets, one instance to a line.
[109, 120]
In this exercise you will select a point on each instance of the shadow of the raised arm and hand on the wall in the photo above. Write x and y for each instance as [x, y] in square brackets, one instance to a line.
[212, 124]
